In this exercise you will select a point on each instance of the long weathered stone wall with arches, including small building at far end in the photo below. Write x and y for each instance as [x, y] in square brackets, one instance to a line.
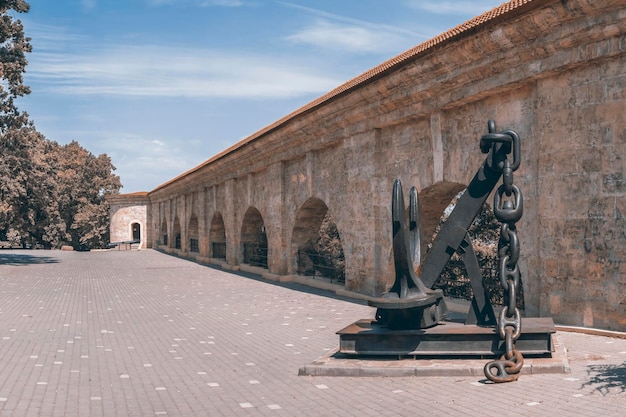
[552, 70]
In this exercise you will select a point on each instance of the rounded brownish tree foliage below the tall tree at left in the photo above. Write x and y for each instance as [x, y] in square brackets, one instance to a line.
[53, 195]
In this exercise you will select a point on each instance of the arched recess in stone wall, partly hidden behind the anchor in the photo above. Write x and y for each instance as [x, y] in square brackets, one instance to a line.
[436, 204]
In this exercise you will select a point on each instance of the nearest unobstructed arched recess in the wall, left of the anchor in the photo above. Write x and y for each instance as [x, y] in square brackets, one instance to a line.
[316, 244]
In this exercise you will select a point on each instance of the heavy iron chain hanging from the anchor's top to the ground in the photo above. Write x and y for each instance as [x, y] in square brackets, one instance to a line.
[508, 209]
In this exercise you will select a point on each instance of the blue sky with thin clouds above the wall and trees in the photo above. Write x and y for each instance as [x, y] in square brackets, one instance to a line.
[162, 85]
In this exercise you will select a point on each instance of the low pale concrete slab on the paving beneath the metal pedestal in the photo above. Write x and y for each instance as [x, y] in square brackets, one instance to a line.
[337, 364]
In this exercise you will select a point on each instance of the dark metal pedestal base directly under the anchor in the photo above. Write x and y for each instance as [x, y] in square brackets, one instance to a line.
[448, 339]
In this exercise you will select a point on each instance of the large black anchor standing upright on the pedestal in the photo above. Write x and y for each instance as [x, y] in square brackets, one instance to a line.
[411, 303]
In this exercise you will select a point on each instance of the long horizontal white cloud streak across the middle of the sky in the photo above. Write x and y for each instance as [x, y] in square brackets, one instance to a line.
[173, 72]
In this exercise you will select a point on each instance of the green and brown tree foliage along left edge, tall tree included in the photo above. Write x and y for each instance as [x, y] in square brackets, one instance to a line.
[50, 194]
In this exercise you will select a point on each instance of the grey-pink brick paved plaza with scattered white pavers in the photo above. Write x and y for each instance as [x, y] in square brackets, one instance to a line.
[140, 333]
